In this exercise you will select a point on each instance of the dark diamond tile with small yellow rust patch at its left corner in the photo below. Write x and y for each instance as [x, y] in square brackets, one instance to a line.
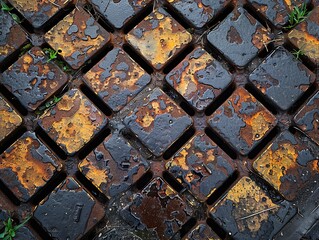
[113, 166]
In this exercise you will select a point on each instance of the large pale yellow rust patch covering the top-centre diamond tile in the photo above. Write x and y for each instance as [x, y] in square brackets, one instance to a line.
[160, 44]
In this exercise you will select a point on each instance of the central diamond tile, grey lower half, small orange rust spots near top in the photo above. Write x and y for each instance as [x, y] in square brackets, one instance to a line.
[157, 121]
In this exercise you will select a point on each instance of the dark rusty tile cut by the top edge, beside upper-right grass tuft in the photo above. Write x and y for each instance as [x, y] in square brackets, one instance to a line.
[276, 11]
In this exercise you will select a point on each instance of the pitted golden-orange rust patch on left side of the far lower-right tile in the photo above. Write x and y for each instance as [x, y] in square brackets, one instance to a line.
[273, 165]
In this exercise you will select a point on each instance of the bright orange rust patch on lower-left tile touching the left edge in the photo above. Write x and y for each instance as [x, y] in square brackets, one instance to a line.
[31, 173]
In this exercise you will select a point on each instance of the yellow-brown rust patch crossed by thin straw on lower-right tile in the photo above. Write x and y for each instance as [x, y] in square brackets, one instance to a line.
[248, 199]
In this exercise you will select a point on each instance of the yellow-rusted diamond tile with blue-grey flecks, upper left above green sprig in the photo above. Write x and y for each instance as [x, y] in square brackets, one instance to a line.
[78, 36]
